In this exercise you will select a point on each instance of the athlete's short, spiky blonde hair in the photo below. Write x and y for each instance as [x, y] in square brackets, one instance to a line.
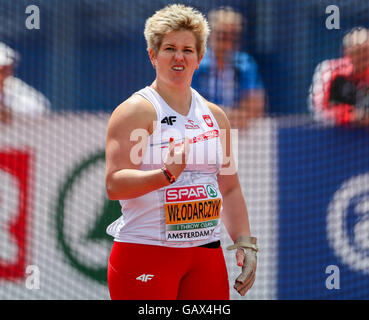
[176, 17]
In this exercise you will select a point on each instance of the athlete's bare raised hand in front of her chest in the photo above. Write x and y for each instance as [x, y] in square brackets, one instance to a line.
[174, 161]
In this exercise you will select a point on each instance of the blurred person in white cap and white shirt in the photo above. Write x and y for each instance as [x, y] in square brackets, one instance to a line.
[17, 97]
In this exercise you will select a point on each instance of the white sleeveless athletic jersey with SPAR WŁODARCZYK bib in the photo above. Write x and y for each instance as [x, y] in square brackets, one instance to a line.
[187, 212]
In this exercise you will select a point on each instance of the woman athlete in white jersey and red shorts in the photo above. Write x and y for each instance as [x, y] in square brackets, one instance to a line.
[169, 163]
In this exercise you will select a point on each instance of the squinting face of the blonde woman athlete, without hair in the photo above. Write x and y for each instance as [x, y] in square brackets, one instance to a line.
[177, 58]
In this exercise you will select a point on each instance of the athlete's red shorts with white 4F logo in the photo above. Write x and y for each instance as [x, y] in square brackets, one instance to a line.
[147, 272]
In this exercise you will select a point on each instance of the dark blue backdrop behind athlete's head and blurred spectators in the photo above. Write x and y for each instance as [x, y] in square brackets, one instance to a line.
[90, 55]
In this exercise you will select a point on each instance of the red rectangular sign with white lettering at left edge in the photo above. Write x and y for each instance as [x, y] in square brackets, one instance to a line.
[15, 211]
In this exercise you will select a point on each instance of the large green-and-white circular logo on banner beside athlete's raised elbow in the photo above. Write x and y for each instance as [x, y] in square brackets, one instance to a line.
[83, 213]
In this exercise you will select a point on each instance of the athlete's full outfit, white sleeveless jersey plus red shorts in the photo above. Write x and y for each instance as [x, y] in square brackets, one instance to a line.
[159, 252]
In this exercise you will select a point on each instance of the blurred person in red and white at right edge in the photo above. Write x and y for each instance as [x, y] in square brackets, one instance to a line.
[339, 93]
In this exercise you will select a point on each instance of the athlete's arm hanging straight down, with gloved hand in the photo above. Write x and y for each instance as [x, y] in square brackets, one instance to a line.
[235, 215]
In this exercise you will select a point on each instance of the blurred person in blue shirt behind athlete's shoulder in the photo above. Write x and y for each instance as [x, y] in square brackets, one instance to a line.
[227, 76]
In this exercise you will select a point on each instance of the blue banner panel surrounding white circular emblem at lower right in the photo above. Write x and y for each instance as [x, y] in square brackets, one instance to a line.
[313, 163]
